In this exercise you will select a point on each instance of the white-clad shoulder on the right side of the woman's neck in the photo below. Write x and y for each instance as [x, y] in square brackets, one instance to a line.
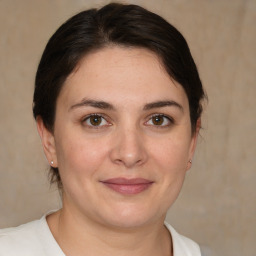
[183, 246]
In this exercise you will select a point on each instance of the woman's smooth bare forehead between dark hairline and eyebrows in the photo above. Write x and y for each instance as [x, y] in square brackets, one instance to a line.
[121, 74]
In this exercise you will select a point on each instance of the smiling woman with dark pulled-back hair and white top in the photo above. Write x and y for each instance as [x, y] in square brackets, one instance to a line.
[117, 103]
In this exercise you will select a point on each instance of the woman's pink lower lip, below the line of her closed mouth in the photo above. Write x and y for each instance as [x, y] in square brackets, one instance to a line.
[128, 189]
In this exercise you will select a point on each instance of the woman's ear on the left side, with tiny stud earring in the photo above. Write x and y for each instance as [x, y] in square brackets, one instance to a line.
[48, 142]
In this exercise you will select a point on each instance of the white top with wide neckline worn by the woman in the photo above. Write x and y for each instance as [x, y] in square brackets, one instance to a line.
[36, 239]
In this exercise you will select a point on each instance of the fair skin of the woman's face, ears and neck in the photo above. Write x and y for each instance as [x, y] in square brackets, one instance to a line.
[132, 138]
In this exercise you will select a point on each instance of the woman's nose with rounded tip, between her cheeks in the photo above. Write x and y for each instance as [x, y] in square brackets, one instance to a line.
[128, 148]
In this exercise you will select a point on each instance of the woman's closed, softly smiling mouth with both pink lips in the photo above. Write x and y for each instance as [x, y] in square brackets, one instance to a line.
[128, 186]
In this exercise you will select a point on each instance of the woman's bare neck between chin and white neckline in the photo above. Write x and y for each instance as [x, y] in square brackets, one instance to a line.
[82, 236]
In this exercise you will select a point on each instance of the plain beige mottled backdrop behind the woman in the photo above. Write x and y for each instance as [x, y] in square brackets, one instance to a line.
[217, 206]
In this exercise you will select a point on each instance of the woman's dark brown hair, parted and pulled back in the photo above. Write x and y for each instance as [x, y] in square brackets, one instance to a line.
[113, 24]
